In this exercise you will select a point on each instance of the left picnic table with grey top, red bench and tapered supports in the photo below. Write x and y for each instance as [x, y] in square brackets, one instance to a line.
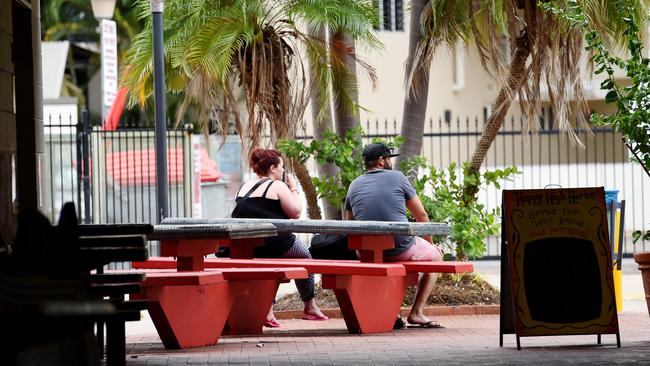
[191, 306]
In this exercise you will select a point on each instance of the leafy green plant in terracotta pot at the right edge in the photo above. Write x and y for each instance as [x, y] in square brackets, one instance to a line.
[632, 114]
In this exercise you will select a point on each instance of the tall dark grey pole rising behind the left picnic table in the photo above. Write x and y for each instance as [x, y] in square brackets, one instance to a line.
[160, 119]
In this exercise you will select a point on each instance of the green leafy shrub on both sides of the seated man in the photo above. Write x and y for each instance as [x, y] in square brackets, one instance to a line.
[441, 191]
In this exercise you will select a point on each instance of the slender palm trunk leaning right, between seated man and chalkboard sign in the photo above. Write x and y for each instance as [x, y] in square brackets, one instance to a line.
[500, 107]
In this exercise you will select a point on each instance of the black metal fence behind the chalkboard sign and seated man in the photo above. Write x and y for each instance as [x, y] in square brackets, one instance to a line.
[545, 158]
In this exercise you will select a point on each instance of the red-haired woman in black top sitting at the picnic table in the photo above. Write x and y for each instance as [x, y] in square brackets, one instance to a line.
[273, 195]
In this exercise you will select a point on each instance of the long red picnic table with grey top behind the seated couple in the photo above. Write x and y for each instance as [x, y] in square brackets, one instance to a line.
[369, 291]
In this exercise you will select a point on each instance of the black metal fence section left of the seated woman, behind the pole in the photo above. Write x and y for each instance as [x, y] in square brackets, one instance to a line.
[110, 175]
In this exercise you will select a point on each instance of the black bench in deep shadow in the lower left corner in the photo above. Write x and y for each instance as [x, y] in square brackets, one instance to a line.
[51, 295]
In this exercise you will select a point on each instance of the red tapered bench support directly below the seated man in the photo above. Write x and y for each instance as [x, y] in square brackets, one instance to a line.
[369, 304]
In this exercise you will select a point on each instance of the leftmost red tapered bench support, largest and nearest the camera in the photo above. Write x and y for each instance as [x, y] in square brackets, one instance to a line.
[189, 316]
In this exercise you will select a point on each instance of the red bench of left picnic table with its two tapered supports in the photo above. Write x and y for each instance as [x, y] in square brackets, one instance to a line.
[191, 309]
